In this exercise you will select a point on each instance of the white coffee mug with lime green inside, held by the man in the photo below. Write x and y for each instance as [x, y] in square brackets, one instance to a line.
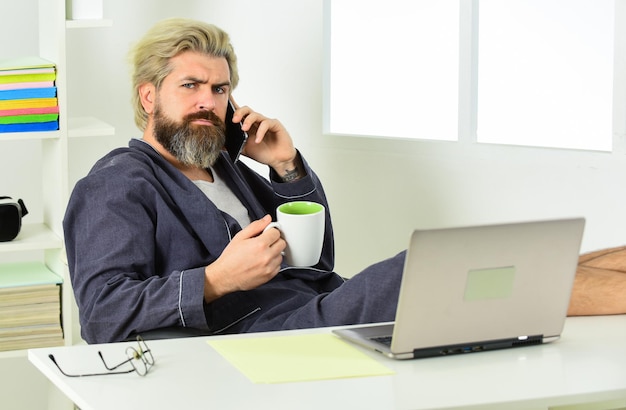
[301, 224]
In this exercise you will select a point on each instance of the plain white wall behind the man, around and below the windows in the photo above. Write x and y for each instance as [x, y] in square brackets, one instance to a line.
[378, 189]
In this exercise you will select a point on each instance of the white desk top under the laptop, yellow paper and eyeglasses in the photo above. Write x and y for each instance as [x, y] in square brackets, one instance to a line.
[588, 364]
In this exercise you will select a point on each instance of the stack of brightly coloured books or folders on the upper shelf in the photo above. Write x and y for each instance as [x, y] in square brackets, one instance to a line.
[28, 96]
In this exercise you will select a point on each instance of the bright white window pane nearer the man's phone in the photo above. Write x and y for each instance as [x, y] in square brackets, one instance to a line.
[394, 68]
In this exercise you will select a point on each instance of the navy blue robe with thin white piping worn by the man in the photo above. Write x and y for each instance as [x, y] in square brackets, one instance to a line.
[138, 235]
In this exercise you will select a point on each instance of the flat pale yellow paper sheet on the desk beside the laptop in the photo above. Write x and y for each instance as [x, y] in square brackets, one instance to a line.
[284, 359]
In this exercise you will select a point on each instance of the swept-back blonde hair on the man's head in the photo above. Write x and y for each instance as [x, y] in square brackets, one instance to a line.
[150, 57]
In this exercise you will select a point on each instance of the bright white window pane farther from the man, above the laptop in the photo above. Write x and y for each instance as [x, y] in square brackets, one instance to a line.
[546, 73]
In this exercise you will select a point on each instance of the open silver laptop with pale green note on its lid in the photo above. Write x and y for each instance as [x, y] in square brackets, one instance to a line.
[479, 288]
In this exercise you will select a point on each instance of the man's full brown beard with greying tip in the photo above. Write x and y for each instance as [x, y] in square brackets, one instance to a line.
[191, 144]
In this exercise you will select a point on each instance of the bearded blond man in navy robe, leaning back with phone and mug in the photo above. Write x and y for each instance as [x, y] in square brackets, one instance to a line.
[166, 237]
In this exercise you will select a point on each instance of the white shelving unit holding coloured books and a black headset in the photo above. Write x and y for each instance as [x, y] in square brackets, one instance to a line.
[45, 239]
